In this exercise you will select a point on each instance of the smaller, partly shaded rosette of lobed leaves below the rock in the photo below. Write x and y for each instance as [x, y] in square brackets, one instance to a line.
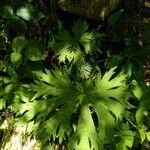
[73, 47]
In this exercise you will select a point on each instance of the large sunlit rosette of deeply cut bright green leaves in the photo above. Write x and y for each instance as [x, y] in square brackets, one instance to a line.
[62, 109]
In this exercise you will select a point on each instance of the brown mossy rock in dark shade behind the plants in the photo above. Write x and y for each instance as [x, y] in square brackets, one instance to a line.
[94, 9]
